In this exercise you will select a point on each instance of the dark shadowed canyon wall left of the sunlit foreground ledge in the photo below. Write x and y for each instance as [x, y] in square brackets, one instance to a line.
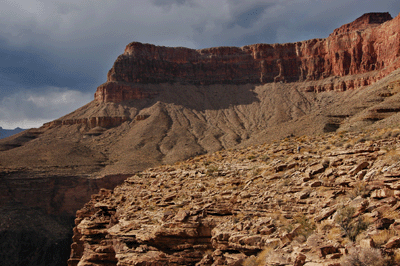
[38, 215]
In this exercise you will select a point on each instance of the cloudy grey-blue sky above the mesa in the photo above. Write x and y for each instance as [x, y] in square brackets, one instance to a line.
[54, 54]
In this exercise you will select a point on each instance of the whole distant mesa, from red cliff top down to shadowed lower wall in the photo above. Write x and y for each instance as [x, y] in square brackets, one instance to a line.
[134, 125]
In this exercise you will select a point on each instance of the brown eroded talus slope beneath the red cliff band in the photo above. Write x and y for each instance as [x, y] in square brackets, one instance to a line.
[186, 120]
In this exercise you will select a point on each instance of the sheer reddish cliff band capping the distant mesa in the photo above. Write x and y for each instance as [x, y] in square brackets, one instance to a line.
[370, 43]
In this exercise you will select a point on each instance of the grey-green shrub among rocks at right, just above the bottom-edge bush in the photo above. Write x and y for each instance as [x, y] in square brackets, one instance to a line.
[351, 227]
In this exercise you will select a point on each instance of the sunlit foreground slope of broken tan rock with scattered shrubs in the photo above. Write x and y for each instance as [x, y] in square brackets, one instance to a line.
[300, 201]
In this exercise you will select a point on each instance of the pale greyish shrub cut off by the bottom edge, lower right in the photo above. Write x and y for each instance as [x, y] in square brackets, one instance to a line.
[365, 256]
